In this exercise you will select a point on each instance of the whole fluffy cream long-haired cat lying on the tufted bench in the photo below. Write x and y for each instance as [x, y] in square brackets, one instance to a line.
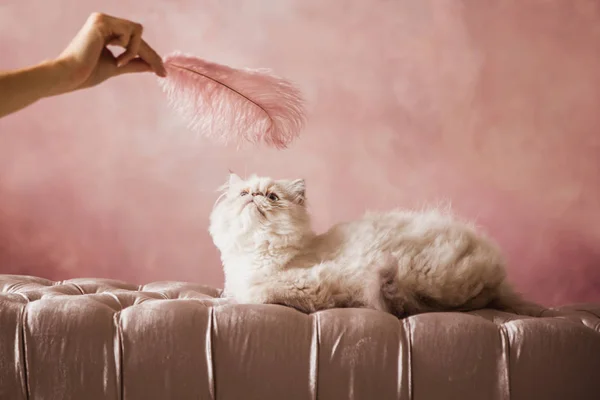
[400, 262]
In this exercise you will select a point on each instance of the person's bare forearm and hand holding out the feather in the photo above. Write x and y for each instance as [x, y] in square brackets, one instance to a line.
[84, 63]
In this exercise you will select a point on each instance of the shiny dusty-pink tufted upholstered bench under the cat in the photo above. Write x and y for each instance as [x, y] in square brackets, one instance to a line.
[103, 339]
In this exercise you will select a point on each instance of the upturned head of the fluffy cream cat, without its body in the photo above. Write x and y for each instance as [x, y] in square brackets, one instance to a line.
[258, 211]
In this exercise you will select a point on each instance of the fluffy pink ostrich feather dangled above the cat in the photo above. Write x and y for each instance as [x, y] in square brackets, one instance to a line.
[233, 105]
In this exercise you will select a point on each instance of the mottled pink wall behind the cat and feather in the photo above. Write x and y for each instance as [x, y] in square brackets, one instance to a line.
[492, 106]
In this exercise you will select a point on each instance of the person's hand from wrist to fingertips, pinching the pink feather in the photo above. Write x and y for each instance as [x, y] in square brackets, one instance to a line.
[87, 61]
